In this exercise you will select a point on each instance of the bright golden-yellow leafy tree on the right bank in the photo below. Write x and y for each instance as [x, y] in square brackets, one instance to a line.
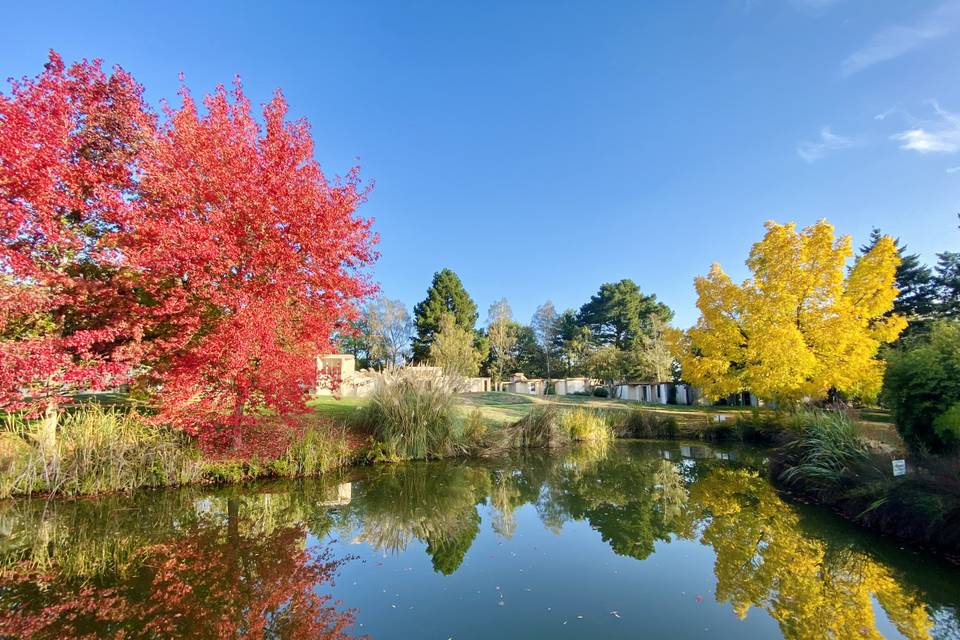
[802, 325]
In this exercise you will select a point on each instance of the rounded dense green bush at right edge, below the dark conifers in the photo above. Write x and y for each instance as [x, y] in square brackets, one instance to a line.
[922, 383]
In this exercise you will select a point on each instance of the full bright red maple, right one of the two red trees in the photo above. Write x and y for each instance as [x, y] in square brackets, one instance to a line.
[251, 259]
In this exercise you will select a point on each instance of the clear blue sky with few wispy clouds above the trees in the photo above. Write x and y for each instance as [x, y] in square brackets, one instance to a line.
[539, 149]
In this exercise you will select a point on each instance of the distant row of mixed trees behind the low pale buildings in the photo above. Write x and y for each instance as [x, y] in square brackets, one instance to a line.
[619, 333]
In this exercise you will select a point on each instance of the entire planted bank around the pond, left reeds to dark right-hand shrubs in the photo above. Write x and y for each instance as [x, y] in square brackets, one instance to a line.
[818, 457]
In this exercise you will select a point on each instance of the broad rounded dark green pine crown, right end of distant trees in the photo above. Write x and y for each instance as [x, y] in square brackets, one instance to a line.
[618, 314]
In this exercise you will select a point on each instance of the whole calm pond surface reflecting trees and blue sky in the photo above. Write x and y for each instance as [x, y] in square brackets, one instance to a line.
[653, 540]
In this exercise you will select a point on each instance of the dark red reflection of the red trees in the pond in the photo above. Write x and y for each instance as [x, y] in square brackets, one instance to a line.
[205, 585]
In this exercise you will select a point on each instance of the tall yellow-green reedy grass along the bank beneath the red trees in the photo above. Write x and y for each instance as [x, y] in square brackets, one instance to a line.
[107, 449]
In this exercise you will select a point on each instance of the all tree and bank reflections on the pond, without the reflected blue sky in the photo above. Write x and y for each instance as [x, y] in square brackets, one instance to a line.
[260, 562]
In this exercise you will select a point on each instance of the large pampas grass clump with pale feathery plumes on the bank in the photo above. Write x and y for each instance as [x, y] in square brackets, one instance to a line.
[411, 414]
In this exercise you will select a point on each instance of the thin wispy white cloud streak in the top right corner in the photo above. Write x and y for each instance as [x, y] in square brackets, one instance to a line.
[896, 40]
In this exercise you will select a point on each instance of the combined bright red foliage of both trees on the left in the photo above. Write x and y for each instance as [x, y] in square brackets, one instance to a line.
[209, 252]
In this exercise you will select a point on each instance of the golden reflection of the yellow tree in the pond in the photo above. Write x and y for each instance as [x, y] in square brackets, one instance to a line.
[764, 560]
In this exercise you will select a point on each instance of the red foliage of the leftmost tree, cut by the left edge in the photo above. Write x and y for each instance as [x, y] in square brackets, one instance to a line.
[68, 143]
